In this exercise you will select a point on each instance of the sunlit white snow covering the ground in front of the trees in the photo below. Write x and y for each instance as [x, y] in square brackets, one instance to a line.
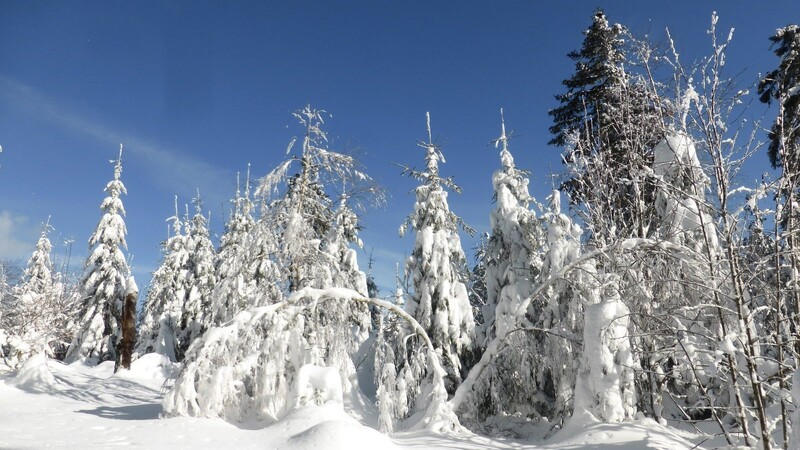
[46, 404]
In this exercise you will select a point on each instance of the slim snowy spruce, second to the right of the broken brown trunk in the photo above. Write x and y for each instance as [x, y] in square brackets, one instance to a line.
[200, 260]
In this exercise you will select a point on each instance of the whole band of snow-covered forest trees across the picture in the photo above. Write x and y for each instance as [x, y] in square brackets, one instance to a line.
[649, 283]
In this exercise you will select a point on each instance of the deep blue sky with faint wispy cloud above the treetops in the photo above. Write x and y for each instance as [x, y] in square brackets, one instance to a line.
[196, 90]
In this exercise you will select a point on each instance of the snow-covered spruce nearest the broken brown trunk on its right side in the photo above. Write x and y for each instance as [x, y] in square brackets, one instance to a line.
[163, 307]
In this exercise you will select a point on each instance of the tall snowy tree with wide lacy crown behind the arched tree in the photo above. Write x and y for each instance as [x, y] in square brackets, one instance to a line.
[305, 235]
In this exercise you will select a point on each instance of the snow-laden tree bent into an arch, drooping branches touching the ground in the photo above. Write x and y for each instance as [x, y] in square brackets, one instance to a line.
[265, 384]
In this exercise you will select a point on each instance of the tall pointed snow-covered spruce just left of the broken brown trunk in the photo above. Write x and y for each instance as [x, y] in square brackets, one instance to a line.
[104, 280]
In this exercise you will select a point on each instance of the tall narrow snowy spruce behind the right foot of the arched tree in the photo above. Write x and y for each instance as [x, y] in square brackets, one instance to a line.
[437, 269]
